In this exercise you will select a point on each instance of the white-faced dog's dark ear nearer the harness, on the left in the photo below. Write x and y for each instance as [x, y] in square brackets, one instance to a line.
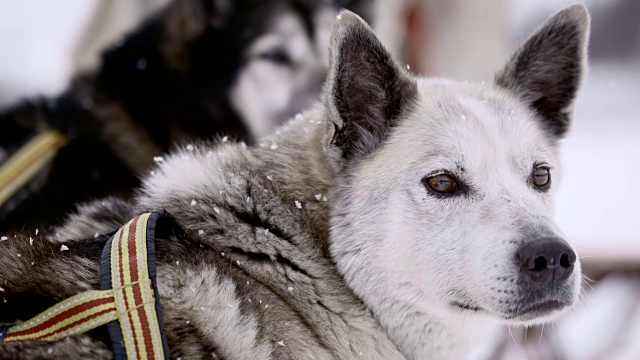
[365, 89]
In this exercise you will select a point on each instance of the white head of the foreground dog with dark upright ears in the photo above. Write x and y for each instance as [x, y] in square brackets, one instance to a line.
[446, 190]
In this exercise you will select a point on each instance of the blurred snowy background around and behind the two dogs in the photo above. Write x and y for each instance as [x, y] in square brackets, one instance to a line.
[44, 44]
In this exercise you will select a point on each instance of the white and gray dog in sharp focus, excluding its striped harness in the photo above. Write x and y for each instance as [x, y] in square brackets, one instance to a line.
[368, 227]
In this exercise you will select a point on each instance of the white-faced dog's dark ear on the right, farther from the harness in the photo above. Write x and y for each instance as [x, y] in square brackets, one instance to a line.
[547, 70]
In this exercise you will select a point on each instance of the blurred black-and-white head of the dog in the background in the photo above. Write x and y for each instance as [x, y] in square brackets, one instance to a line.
[264, 61]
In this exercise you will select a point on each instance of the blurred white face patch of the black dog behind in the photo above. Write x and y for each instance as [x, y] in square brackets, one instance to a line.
[267, 92]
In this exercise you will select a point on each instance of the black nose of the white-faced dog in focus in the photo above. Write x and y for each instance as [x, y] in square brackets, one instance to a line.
[546, 261]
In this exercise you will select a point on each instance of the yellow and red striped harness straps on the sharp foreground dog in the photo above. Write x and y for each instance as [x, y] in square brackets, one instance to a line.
[128, 303]
